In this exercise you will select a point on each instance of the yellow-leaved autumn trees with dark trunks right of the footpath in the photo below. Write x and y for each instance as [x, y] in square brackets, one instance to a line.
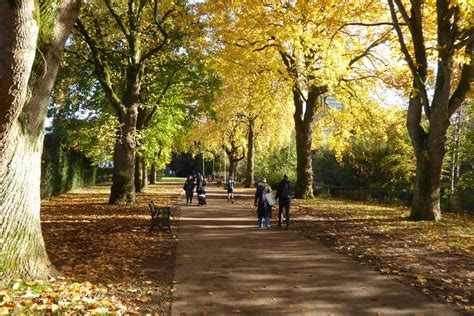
[318, 48]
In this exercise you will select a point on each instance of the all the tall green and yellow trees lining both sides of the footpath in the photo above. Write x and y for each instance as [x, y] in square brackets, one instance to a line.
[144, 71]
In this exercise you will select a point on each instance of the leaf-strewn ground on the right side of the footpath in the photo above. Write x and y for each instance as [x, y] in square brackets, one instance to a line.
[436, 258]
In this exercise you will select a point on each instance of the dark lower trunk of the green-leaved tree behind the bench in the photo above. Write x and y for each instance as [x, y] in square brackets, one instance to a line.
[123, 189]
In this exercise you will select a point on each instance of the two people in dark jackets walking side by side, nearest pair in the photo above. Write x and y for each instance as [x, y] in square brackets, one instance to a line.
[264, 201]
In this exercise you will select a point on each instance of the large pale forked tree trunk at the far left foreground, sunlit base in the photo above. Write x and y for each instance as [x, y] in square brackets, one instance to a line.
[23, 253]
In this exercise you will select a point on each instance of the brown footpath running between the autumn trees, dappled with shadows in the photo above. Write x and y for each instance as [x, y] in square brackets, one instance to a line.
[226, 265]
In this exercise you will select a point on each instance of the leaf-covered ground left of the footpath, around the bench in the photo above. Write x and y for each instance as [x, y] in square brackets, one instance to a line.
[107, 259]
